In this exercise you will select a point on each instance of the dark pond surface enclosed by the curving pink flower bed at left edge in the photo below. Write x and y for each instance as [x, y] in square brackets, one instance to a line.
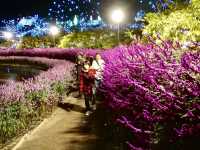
[19, 70]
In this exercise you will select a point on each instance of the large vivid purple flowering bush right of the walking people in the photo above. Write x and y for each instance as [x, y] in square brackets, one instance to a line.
[153, 95]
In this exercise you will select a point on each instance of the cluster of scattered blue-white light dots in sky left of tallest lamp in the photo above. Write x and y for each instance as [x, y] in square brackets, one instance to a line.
[72, 8]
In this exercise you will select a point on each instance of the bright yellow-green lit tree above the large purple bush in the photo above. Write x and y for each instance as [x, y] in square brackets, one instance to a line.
[178, 24]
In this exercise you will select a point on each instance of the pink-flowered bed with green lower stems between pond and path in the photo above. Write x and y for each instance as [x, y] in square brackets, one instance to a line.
[23, 102]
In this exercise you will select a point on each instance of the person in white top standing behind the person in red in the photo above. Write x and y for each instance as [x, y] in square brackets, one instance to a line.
[98, 65]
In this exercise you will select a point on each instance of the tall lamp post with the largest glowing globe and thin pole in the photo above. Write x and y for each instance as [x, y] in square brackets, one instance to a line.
[117, 17]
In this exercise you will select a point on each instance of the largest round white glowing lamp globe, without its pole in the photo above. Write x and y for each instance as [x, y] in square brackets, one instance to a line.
[117, 16]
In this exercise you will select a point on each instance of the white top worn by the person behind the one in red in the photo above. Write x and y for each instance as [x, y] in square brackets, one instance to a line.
[99, 67]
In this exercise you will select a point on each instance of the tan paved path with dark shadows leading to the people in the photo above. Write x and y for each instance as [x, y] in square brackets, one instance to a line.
[67, 129]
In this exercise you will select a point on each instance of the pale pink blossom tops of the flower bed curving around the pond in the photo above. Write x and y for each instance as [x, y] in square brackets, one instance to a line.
[14, 91]
